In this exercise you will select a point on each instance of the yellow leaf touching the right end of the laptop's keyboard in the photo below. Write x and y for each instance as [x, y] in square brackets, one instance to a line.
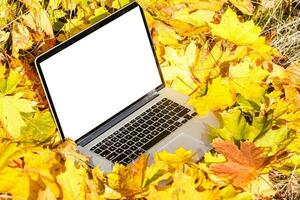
[218, 97]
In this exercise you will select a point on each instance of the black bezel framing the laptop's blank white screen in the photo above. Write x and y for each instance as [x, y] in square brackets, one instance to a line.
[78, 37]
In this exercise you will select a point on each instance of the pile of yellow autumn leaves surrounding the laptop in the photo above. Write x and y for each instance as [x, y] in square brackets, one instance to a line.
[210, 50]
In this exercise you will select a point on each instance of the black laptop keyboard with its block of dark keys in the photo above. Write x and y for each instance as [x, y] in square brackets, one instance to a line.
[143, 132]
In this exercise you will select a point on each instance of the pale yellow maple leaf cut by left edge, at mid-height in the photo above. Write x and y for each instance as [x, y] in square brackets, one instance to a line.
[11, 108]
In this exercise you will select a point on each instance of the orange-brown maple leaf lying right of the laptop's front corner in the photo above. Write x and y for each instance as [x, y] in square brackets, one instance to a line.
[242, 164]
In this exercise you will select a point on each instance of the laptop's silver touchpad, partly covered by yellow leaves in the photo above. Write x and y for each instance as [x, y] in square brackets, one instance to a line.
[187, 142]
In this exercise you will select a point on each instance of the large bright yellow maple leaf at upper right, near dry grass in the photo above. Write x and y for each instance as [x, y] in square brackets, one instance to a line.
[241, 33]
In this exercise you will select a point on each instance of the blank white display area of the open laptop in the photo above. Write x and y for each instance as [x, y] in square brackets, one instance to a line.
[101, 74]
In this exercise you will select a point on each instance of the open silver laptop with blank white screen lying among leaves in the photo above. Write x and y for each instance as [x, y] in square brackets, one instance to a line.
[106, 92]
